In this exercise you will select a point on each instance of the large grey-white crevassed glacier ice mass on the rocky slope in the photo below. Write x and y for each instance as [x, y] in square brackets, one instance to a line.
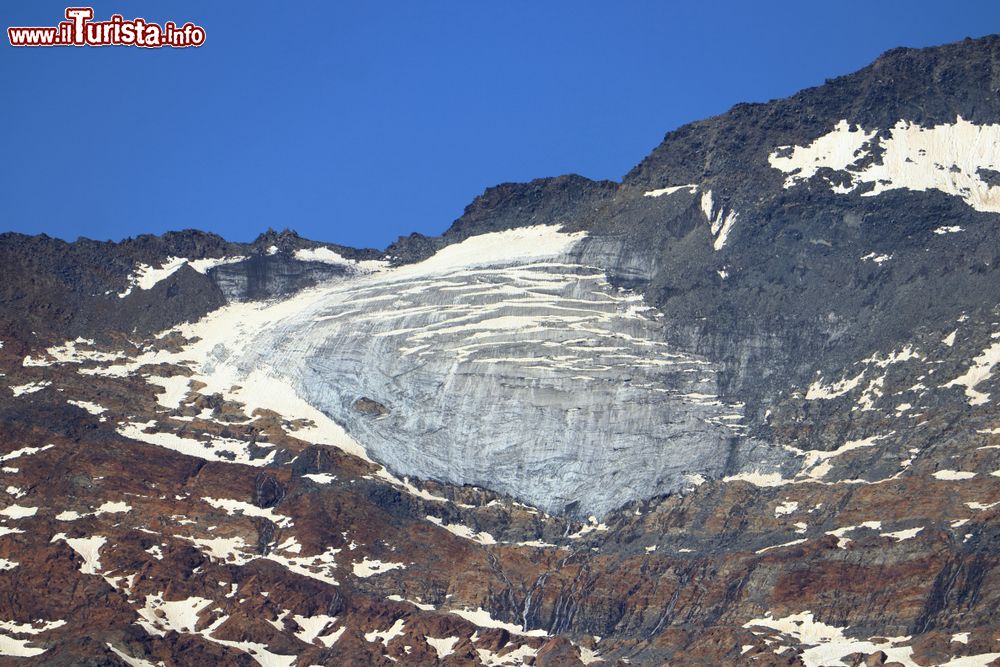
[503, 362]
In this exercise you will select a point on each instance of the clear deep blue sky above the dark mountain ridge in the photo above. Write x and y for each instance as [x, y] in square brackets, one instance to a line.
[356, 122]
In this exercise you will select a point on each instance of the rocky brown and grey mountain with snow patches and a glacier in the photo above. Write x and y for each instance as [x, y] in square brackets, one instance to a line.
[739, 408]
